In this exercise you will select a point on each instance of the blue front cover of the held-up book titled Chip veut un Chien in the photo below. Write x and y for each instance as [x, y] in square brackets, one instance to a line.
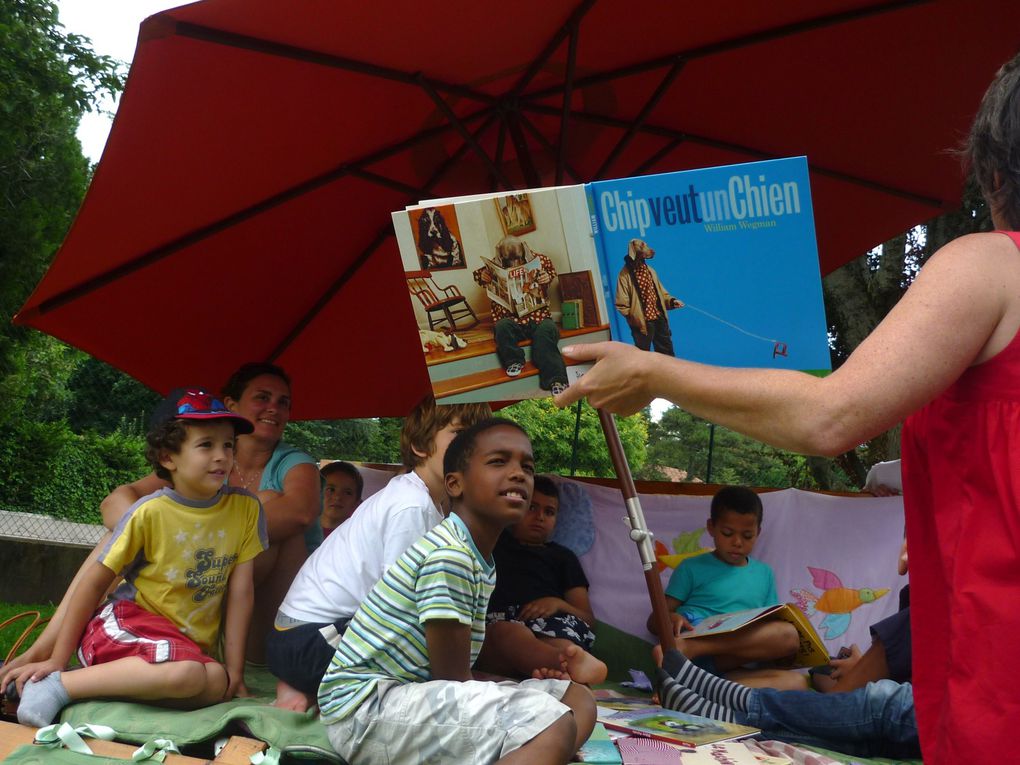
[726, 257]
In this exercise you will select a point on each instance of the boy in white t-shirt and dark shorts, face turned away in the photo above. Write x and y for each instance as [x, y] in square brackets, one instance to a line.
[339, 576]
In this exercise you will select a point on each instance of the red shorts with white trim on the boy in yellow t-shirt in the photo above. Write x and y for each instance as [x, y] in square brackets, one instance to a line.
[124, 629]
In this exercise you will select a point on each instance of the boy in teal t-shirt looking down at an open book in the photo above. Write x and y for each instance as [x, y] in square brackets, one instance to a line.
[729, 580]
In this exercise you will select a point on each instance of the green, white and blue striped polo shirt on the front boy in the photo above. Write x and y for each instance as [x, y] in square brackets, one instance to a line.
[441, 577]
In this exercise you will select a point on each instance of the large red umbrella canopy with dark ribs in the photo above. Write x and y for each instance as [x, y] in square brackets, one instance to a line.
[241, 209]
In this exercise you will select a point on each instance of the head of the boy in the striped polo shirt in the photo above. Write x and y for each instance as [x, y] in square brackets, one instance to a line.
[496, 488]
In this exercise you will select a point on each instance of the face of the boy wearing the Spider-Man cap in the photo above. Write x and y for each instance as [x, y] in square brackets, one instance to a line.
[207, 456]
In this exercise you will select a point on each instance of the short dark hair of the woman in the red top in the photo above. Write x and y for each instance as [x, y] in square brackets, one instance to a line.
[993, 149]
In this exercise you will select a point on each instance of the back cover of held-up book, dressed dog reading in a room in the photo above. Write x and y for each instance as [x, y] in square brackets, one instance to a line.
[492, 331]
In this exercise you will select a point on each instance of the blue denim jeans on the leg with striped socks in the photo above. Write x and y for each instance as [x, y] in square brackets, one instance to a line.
[874, 722]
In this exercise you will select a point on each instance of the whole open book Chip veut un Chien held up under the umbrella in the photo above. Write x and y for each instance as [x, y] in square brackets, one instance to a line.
[718, 266]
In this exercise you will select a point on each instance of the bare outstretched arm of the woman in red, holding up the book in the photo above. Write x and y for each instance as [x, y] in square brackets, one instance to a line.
[962, 310]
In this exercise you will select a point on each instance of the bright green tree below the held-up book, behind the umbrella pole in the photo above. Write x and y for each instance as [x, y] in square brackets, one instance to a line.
[552, 434]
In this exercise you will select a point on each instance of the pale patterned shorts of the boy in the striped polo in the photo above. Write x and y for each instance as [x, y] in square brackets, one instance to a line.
[444, 722]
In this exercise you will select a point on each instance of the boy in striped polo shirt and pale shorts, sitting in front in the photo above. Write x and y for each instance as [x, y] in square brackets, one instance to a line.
[399, 688]
